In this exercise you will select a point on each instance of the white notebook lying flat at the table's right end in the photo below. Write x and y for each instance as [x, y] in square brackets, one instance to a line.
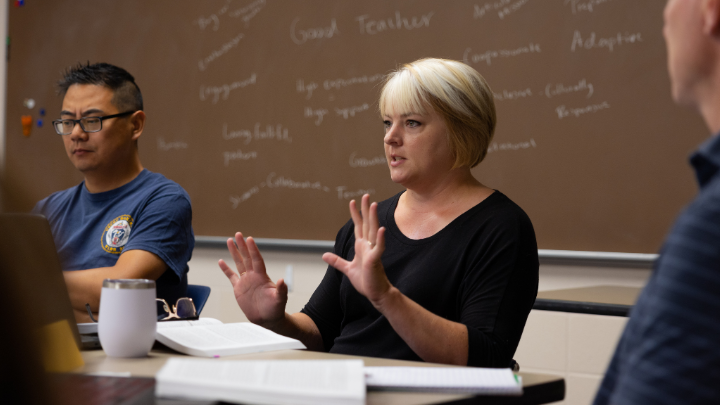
[444, 379]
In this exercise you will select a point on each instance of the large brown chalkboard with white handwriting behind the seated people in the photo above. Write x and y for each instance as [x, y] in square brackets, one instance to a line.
[266, 111]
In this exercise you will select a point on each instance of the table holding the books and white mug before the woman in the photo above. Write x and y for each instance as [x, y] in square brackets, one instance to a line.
[538, 388]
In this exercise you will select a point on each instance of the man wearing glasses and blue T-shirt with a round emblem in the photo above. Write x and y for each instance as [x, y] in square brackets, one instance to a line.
[122, 221]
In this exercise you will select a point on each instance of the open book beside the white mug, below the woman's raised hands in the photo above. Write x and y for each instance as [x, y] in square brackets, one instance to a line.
[209, 337]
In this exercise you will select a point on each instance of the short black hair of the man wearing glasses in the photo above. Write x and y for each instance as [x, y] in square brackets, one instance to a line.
[126, 94]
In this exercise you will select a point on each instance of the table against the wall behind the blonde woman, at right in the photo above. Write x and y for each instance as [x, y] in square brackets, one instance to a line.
[599, 300]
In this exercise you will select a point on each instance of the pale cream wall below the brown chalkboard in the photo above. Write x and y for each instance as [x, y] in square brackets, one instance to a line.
[577, 347]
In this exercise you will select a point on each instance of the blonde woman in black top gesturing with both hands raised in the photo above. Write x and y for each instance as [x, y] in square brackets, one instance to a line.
[445, 271]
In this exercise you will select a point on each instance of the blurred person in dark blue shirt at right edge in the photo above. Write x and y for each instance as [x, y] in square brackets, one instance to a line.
[669, 352]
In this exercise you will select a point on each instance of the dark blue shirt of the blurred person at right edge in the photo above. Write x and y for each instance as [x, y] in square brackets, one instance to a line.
[670, 350]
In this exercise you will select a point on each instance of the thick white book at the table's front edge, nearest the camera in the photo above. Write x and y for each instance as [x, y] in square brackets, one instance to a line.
[263, 382]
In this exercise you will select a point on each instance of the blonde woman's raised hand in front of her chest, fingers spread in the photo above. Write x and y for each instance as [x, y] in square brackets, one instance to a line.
[365, 271]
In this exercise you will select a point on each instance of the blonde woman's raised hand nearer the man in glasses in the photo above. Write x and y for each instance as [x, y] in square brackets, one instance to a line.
[262, 301]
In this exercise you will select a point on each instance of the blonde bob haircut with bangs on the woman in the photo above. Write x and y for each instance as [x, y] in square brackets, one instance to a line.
[457, 92]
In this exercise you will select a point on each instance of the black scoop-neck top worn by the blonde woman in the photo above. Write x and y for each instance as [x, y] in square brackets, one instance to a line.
[481, 270]
